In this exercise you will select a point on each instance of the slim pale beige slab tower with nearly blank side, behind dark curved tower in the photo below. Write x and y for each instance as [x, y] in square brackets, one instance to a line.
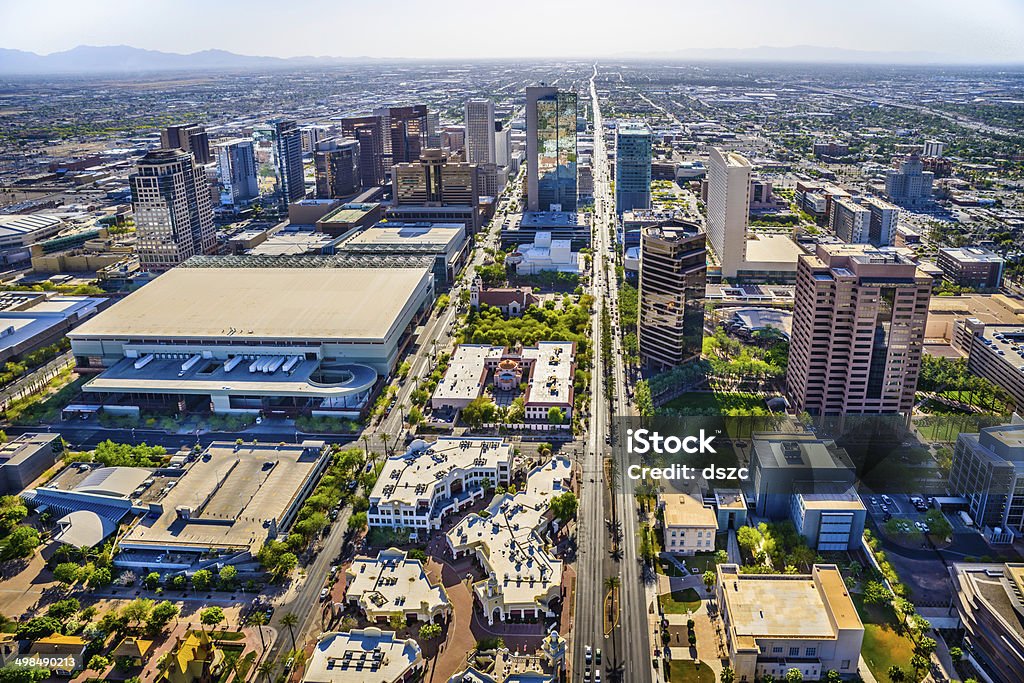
[729, 208]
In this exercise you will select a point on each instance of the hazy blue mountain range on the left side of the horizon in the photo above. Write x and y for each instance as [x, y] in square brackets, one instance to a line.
[122, 59]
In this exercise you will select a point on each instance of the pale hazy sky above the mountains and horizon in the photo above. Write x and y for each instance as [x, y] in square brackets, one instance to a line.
[978, 30]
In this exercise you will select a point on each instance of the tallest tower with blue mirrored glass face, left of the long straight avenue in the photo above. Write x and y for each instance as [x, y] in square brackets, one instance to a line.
[551, 149]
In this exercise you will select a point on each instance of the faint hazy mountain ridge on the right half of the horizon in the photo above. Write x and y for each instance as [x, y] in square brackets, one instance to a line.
[795, 54]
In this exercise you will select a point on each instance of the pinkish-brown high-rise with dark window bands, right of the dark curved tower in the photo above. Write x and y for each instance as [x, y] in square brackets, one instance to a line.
[859, 331]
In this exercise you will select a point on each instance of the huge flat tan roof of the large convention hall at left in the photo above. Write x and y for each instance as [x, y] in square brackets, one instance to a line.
[268, 304]
